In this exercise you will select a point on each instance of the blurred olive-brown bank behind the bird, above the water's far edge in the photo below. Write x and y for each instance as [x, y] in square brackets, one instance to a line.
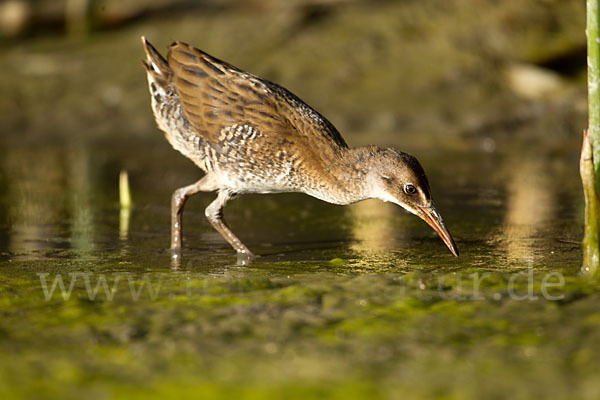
[452, 73]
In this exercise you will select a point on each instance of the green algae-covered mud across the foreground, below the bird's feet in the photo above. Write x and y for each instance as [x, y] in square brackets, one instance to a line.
[334, 334]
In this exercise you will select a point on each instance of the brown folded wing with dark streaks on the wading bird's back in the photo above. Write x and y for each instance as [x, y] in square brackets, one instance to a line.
[215, 94]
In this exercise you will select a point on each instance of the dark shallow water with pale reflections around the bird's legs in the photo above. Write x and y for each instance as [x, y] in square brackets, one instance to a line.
[61, 202]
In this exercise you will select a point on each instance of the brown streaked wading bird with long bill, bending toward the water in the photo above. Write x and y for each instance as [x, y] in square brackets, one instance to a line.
[250, 135]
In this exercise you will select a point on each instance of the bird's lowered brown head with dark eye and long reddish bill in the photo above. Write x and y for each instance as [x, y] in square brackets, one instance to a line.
[399, 178]
